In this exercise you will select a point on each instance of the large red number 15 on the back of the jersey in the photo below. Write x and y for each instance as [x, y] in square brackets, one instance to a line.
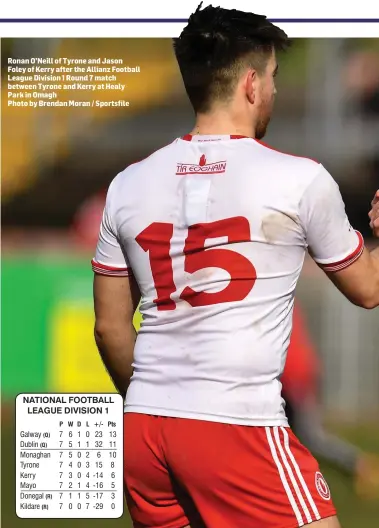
[156, 239]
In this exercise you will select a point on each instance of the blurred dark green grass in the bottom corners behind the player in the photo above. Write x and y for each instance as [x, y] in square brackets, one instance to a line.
[352, 512]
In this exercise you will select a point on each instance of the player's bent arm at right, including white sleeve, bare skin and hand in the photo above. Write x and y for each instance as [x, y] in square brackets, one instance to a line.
[336, 247]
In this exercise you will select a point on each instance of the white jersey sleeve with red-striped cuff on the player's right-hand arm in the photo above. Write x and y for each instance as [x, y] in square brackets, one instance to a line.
[332, 242]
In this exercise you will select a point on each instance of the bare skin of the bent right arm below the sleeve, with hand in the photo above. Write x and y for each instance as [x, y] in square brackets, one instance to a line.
[360, 281]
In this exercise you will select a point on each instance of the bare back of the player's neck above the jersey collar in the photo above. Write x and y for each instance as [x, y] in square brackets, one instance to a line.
[220, 124]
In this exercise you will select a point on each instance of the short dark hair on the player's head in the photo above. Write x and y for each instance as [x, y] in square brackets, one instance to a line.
[216, 45]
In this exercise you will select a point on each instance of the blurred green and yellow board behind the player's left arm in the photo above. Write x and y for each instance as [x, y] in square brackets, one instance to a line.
[47, 327]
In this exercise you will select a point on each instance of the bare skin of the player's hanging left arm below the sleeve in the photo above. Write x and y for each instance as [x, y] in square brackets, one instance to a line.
[115, 301]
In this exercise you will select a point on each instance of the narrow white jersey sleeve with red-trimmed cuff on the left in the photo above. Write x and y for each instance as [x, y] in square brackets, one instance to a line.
[110, 259]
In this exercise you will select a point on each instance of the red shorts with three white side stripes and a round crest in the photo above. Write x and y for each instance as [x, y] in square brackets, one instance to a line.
[181, 472]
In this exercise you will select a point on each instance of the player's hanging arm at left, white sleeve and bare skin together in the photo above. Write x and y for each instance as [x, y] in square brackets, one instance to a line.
[116, 297]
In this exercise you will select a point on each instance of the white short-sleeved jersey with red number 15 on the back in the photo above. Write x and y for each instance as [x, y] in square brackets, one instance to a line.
[215, 230]
